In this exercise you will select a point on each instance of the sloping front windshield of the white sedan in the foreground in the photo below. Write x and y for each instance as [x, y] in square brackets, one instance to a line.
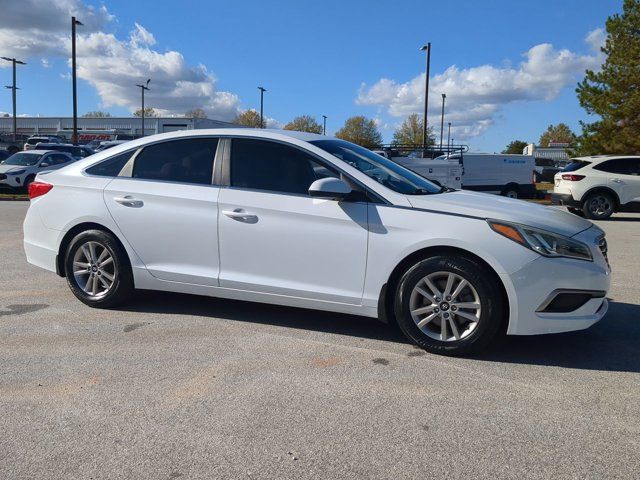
[380, 169]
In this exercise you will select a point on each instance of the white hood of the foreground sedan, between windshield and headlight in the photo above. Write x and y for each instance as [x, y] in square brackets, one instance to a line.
[462, 202]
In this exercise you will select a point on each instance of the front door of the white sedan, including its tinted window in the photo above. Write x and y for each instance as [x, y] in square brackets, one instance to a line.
[275, 238]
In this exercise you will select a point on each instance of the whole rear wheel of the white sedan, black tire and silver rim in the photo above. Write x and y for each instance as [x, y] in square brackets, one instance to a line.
[98, 270]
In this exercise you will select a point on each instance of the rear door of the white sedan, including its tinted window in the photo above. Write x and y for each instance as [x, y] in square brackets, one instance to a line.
[167, 209]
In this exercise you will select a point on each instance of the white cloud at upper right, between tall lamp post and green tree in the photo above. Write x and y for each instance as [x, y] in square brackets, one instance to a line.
[476, 94]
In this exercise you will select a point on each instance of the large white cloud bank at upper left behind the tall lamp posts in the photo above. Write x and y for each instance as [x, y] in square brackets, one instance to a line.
[114, 66]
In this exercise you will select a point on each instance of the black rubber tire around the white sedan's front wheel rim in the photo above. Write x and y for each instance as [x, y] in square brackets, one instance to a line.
[491, 316]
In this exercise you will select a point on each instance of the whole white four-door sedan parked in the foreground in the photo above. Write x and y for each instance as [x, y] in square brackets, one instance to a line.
[311, 221]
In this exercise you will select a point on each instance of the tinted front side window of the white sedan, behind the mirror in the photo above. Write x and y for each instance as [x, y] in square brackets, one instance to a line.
[264, 165]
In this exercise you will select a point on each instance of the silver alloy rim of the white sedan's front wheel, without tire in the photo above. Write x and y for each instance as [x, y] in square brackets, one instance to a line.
[445, 306]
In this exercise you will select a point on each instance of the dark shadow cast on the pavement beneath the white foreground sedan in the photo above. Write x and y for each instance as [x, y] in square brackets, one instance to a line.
[611, 345]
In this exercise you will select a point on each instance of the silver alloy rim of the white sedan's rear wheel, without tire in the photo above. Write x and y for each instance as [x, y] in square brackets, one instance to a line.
[94, 269]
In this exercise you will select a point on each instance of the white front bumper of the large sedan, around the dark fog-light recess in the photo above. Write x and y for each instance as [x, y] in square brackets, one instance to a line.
[531, 288]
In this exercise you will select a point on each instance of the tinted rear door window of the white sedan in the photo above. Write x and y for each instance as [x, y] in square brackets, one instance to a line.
[186, 161]
